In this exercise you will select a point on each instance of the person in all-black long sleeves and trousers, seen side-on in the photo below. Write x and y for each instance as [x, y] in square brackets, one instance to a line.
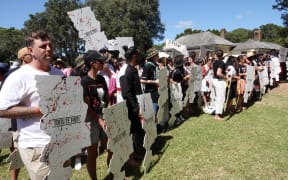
[131, 87]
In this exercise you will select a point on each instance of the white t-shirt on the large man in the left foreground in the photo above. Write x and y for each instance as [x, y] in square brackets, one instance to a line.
[20, 89]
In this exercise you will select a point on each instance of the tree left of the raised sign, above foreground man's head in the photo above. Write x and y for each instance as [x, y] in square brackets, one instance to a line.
[56, 22]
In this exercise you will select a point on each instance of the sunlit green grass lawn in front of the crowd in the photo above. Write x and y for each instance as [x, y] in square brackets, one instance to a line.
[249, 145]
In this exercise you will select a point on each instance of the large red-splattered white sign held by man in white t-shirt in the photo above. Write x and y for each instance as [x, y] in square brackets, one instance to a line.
[61, 102]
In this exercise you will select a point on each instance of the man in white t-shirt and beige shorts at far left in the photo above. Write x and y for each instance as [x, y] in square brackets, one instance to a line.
[20, 99]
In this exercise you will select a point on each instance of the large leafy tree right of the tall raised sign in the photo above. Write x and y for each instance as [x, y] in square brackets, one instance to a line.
[139, 19]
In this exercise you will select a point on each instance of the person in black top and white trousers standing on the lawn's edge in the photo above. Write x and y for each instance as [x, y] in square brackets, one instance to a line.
[219, 84]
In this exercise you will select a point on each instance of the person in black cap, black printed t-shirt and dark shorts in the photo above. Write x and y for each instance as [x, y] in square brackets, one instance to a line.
[95, 94]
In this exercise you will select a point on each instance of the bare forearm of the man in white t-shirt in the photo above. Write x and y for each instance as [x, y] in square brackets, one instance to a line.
[21, 112]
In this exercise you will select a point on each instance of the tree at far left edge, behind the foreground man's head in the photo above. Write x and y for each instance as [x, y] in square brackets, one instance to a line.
[11, 41]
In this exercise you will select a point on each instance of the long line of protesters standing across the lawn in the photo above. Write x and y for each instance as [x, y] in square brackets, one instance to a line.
[108, 79]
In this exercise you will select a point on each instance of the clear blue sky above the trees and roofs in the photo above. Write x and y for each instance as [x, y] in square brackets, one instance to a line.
[176, 15]
